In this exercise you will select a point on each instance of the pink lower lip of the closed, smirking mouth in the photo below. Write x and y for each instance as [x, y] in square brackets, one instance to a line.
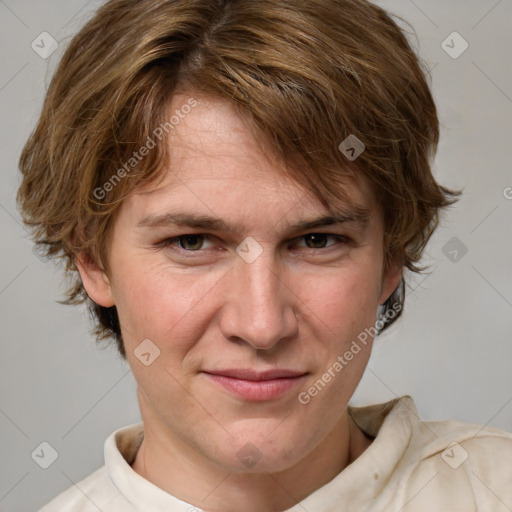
[257, 390]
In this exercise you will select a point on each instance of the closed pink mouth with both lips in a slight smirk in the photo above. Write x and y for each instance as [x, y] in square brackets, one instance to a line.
[254, 385]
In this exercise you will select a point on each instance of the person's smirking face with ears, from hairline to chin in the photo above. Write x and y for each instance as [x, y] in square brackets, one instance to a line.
[218, 269]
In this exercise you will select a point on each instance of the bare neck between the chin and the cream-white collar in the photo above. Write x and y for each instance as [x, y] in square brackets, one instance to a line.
[178, 468]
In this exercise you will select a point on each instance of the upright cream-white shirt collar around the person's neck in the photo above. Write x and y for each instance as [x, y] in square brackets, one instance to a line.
[391, 424]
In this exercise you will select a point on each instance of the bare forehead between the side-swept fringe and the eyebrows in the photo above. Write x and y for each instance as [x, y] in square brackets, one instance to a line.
[217, 166]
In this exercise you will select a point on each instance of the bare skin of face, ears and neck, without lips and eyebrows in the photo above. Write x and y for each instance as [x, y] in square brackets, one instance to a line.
[298, 306]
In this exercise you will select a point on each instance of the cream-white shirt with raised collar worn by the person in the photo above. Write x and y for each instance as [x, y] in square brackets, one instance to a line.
[409, 467]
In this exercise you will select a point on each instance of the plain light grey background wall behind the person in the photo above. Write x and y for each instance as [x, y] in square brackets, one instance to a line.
[452, 350]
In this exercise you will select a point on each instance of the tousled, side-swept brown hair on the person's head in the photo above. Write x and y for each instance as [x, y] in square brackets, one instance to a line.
[304, 75]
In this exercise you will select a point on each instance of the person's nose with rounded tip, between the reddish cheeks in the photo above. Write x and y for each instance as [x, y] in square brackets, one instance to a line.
[258, 305]
